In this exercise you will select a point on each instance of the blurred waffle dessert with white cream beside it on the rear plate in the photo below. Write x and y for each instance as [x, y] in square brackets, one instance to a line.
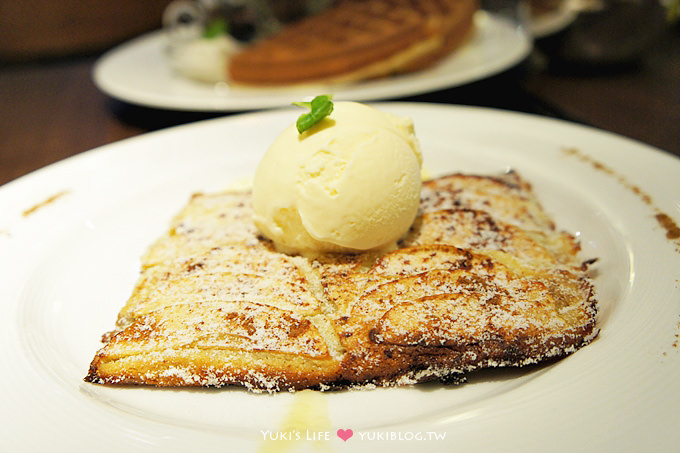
[348, 41]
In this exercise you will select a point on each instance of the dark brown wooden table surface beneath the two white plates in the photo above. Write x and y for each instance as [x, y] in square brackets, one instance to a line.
[52, 110]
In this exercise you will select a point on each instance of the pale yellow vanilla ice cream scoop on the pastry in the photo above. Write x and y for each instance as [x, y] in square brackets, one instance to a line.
[351, 182]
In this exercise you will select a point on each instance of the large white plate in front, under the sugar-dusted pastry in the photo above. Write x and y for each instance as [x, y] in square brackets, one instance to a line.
[71, 236]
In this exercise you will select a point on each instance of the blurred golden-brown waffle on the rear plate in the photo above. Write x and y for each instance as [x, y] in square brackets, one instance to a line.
[355, 40]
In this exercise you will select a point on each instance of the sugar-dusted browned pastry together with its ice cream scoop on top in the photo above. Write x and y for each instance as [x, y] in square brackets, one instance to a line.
[480, 278]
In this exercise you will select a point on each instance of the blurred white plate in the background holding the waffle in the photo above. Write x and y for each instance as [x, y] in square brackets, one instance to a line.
[138, 72]
